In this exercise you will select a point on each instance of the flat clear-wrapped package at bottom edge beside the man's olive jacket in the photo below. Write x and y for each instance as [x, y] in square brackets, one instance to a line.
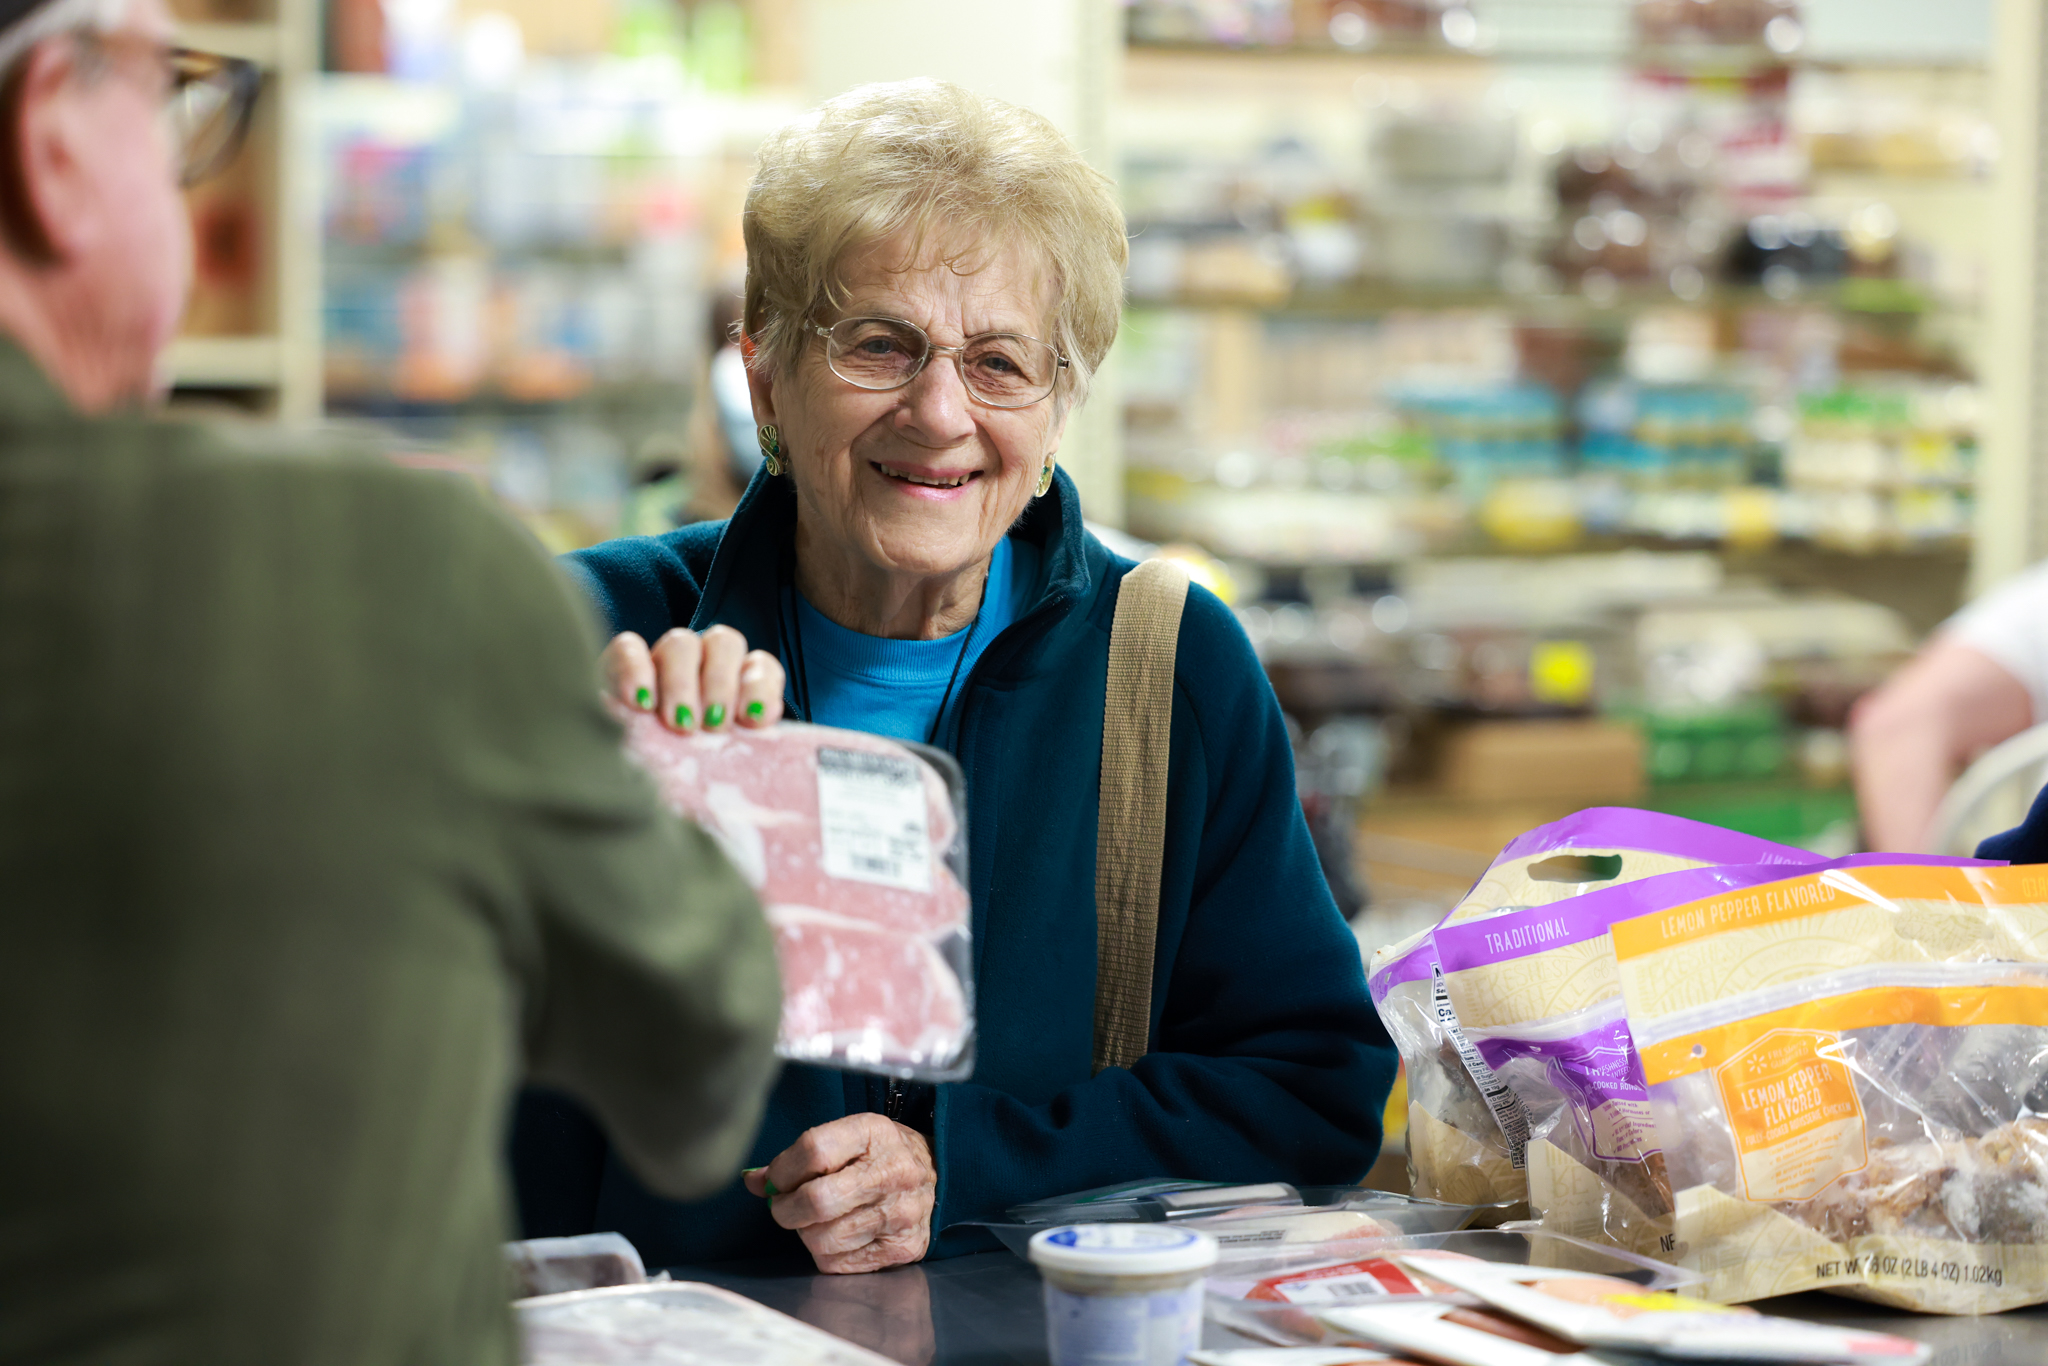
[675, 1324]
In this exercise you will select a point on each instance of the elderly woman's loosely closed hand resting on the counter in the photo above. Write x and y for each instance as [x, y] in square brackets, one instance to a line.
[859, 1193]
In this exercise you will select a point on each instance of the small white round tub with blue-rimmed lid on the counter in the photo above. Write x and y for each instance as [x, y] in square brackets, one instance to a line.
[1123, 1295]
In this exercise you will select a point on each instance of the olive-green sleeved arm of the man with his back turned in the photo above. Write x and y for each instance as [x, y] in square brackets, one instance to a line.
[652, 984]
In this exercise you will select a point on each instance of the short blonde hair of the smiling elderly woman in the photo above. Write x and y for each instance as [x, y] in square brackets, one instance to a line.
[935, 161]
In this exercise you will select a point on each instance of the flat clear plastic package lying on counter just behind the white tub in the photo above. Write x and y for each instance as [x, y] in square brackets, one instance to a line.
[1242, 1220]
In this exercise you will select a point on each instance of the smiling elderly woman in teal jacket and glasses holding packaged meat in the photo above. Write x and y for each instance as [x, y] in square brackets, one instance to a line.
[931, 282]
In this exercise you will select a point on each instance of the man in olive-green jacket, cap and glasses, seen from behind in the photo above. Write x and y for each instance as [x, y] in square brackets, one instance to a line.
[314, 833]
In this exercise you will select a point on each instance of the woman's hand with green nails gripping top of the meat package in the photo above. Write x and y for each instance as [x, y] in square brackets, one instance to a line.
[697, 681]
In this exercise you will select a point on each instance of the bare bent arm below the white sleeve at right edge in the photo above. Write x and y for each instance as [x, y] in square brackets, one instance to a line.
[1922, 728]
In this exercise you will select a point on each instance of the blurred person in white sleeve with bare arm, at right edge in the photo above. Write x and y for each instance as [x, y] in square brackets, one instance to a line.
[1981, 679]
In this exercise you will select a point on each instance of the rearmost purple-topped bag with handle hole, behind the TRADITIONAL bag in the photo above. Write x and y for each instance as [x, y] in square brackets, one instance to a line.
[1467, 1127]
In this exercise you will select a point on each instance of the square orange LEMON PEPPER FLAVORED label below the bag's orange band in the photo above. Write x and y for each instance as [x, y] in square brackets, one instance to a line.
[1795, 1115]
